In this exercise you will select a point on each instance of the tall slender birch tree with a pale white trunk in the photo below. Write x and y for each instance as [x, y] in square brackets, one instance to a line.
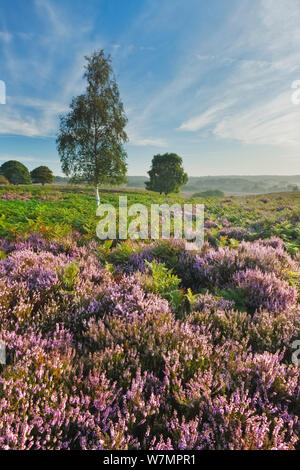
[91, 136]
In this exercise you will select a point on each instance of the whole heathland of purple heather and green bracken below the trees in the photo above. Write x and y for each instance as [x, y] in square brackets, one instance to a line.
[141, 344]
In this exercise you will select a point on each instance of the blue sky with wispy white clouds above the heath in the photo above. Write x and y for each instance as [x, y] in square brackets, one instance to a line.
[210, 81]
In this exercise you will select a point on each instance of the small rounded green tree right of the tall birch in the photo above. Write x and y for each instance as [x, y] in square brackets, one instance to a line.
[166, 174]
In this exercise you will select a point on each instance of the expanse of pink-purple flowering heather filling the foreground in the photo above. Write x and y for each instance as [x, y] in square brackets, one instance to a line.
[101, 364]
